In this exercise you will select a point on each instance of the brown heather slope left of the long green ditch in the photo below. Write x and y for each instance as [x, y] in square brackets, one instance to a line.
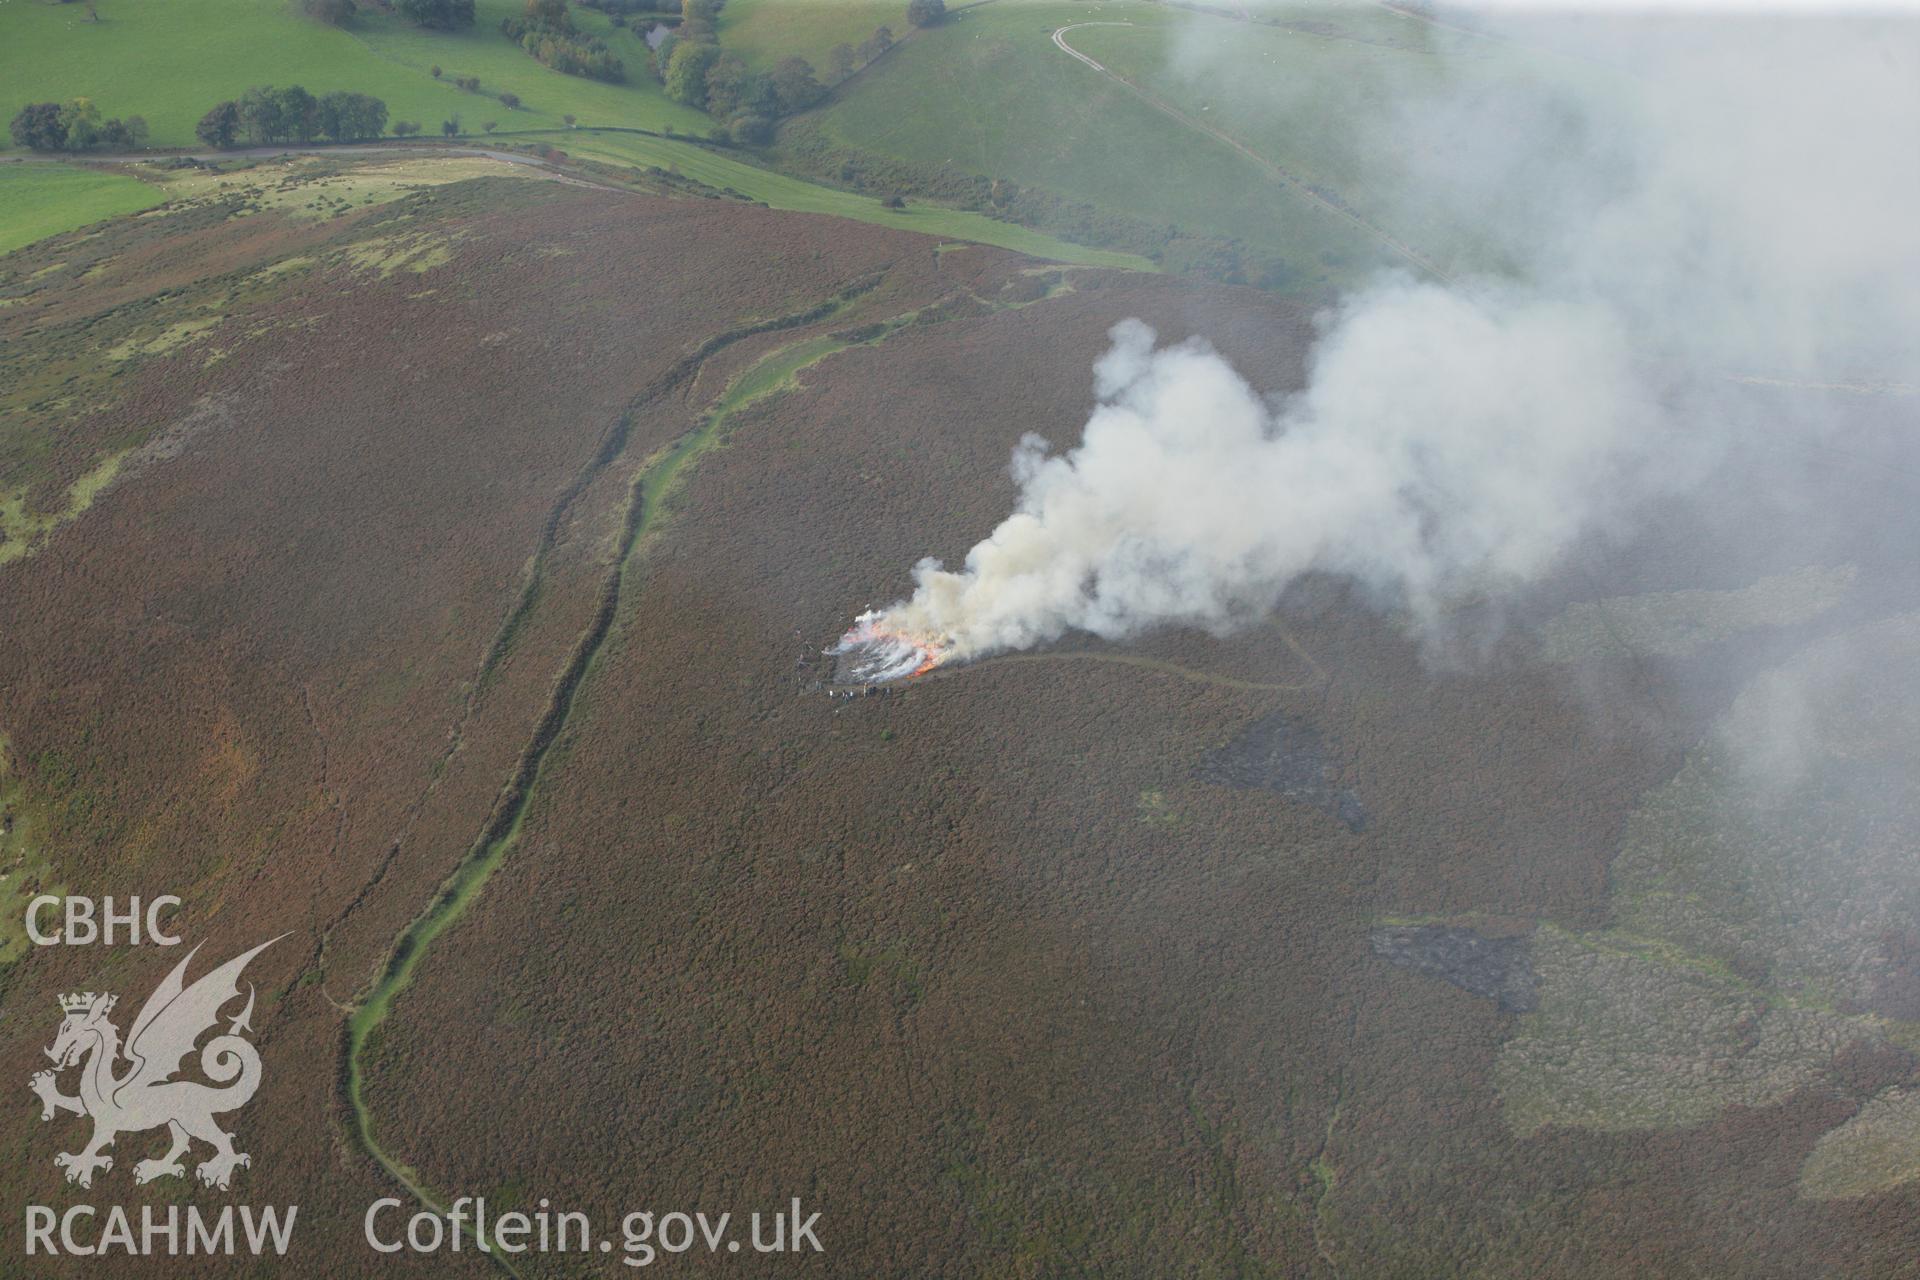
[264, 669]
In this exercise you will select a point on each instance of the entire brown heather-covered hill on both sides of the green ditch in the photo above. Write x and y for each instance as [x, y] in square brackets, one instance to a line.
[986, 970]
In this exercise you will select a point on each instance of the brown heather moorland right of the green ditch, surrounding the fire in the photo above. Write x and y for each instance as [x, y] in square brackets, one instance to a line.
[982, 968]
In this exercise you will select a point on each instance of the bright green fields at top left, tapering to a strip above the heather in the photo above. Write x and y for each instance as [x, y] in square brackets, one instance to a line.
[156, 59]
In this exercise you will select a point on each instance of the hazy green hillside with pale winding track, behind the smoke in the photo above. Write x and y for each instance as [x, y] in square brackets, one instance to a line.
[1274, 133]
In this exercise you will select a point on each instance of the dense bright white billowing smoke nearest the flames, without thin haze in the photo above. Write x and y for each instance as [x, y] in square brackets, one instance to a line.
[1193, 502]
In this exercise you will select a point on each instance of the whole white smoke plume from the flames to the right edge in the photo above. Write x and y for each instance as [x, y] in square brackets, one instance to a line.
[1737, 216]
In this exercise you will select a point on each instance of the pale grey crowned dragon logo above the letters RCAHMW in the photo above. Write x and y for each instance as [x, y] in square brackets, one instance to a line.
[147, 1095]
